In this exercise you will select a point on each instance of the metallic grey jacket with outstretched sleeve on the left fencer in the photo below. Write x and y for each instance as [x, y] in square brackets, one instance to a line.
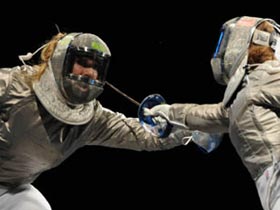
[32, 140]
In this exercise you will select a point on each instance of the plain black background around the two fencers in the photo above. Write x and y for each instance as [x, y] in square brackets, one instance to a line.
[156, 48]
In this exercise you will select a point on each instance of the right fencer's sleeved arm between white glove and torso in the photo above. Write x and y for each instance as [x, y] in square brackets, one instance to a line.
[211, 118]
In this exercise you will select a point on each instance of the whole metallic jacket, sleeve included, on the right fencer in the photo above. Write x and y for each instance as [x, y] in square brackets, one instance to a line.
[252, 120]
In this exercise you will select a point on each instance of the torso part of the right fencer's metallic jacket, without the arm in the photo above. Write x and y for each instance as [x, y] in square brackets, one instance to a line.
[254, 119]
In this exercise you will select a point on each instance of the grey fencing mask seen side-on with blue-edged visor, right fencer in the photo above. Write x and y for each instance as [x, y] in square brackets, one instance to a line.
[235, 37]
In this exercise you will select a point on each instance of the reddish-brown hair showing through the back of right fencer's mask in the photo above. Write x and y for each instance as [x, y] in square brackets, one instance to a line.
[258, 53]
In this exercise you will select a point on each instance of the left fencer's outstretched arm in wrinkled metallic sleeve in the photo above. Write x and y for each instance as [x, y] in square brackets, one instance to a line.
[112, 129]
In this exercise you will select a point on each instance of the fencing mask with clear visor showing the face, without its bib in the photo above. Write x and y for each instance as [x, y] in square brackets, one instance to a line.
[88, 51]
